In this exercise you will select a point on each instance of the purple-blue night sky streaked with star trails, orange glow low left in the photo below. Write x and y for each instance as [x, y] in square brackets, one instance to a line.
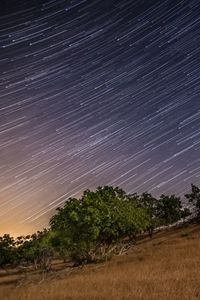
[95, 93]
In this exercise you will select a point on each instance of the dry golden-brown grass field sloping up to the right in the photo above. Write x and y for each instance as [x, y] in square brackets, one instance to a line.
[165, 267]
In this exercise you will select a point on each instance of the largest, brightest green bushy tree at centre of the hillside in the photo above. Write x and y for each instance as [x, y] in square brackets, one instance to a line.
[94, 226]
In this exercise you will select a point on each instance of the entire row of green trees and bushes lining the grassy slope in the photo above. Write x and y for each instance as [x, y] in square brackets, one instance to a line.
[96, 226]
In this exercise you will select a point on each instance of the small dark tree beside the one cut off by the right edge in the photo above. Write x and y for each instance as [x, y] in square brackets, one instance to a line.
[170, 210]
